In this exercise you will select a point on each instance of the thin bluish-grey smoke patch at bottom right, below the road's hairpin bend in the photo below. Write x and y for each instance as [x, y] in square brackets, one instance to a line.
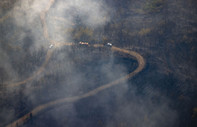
[144, 111]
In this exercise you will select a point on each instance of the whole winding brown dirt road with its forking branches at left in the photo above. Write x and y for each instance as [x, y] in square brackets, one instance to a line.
[44, 107]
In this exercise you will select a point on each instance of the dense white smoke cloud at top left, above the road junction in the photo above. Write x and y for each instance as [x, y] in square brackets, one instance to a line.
[26, 13]
